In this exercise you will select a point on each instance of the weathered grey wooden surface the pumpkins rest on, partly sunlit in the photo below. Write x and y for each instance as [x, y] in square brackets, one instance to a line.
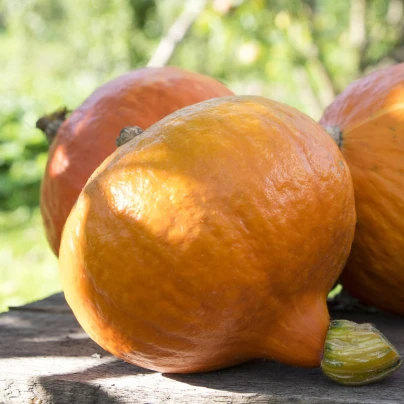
[45, 357]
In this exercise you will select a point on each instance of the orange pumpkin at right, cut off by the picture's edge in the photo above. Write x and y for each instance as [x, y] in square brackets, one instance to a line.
[369, 115]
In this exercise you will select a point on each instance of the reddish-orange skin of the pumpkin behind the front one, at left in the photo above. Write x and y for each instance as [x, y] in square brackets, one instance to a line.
[141, 97]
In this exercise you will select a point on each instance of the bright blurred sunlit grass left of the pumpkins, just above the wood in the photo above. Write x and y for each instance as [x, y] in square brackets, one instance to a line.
[28, 268]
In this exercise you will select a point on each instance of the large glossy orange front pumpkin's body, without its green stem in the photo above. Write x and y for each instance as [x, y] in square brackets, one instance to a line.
[212, 238]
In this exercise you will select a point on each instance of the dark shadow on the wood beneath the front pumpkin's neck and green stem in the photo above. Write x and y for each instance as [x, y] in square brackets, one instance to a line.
[282, 383]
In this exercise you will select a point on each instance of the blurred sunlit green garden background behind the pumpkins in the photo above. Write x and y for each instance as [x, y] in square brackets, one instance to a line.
[54, 53]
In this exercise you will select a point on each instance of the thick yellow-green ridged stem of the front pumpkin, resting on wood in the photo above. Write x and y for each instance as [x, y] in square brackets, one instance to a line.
[358, 354]
